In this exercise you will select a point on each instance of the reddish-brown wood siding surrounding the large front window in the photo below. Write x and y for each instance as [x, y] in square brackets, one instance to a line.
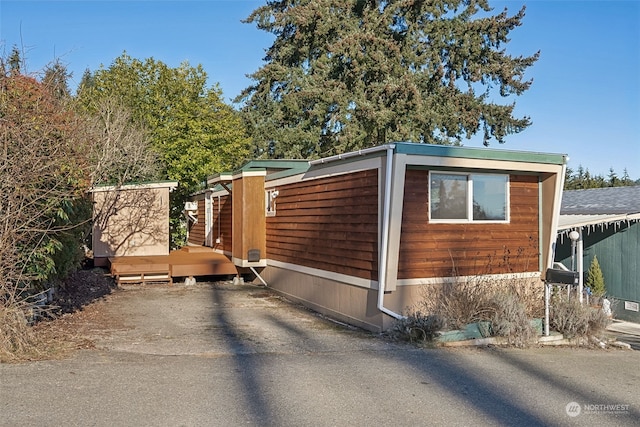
[433, 250]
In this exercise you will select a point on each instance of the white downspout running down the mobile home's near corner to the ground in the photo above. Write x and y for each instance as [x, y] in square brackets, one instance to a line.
[384, 244]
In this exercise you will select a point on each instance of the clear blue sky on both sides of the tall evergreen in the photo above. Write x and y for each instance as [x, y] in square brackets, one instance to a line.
[585, 99]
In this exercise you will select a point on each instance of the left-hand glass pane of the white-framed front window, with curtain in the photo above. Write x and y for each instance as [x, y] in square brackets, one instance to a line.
[448, 196]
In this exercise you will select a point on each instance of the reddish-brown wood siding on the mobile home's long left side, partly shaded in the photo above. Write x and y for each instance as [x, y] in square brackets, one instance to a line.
[329, 223]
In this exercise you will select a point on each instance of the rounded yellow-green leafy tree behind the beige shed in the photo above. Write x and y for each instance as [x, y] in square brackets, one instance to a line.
[193, 131]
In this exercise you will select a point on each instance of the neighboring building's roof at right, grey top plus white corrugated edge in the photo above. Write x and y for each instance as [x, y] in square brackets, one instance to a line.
[595, 206]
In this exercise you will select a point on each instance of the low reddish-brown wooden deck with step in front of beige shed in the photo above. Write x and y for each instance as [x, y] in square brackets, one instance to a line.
[190, 261]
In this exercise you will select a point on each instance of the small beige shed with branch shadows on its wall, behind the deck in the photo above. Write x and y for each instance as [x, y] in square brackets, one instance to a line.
[130, 220]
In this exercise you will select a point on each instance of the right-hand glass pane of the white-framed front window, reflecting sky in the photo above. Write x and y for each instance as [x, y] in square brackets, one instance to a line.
[489, 197]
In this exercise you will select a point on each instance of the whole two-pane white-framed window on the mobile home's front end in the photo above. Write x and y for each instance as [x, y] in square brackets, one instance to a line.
[468, 197]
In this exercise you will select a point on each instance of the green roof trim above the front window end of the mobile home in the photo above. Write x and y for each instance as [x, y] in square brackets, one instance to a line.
[479, 153]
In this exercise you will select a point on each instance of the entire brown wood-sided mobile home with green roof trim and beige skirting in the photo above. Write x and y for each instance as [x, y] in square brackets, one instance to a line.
[359, 236]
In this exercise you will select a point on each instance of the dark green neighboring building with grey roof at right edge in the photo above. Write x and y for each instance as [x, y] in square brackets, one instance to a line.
[607, 220]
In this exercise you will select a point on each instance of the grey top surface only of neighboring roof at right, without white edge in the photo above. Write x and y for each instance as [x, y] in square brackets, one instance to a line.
[598, 201]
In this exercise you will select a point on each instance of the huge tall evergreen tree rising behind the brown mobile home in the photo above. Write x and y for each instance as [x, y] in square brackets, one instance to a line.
[349, 74]
